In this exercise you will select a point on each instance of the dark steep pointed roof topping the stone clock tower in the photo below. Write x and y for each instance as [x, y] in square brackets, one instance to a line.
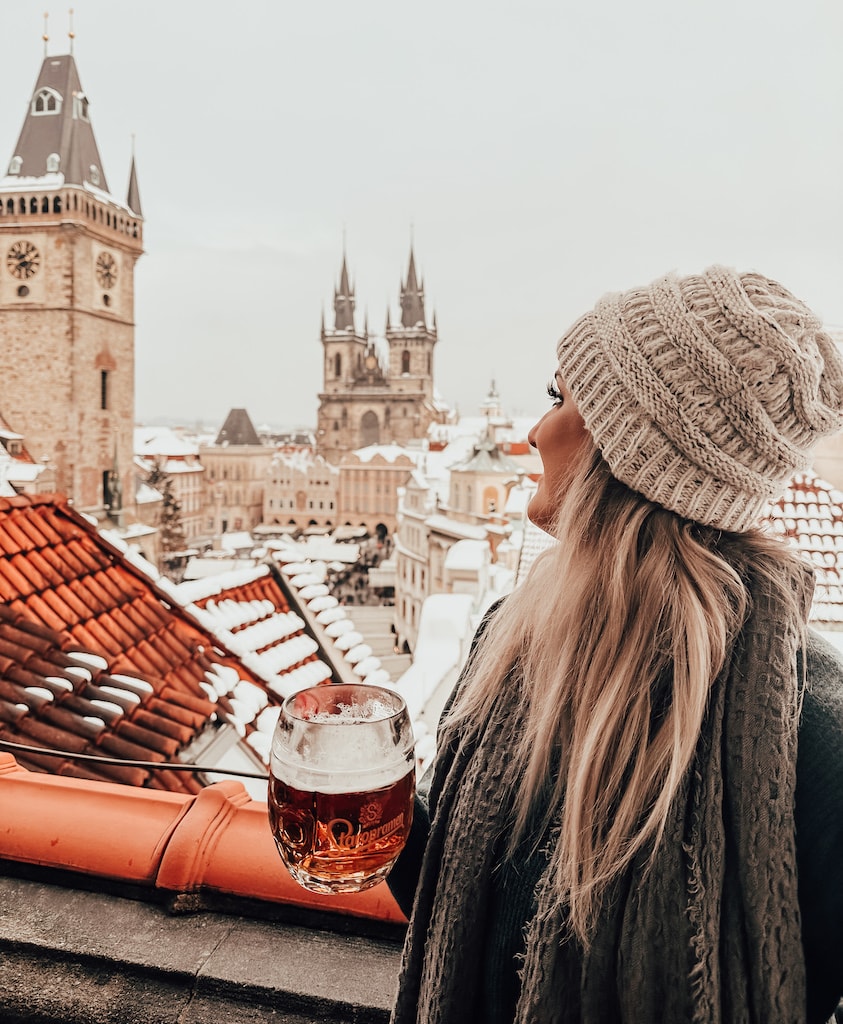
[58, 122]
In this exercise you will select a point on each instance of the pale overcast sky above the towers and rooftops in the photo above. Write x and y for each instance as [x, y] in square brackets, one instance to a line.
[540, 153]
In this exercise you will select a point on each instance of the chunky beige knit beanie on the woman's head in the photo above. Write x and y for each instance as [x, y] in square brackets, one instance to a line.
[705, 394]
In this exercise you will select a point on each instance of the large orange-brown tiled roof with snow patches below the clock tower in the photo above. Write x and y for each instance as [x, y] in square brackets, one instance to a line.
[99, 659]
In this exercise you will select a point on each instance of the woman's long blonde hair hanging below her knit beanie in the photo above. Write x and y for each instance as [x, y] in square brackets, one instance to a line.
[618, 633]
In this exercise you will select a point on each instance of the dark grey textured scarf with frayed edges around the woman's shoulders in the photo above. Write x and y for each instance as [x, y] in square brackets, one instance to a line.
[711, 934]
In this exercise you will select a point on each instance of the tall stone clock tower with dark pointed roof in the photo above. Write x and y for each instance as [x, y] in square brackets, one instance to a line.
[68, 249]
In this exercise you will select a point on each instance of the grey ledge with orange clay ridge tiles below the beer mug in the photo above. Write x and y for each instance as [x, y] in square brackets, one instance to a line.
[135, 907]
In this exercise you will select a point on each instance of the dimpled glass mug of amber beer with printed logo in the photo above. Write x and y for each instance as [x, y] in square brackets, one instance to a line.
[342, 784]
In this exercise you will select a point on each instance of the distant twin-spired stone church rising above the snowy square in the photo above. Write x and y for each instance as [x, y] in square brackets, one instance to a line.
[377, 393]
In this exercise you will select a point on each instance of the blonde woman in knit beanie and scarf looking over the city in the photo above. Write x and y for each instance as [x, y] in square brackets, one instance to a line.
[618, 828]
